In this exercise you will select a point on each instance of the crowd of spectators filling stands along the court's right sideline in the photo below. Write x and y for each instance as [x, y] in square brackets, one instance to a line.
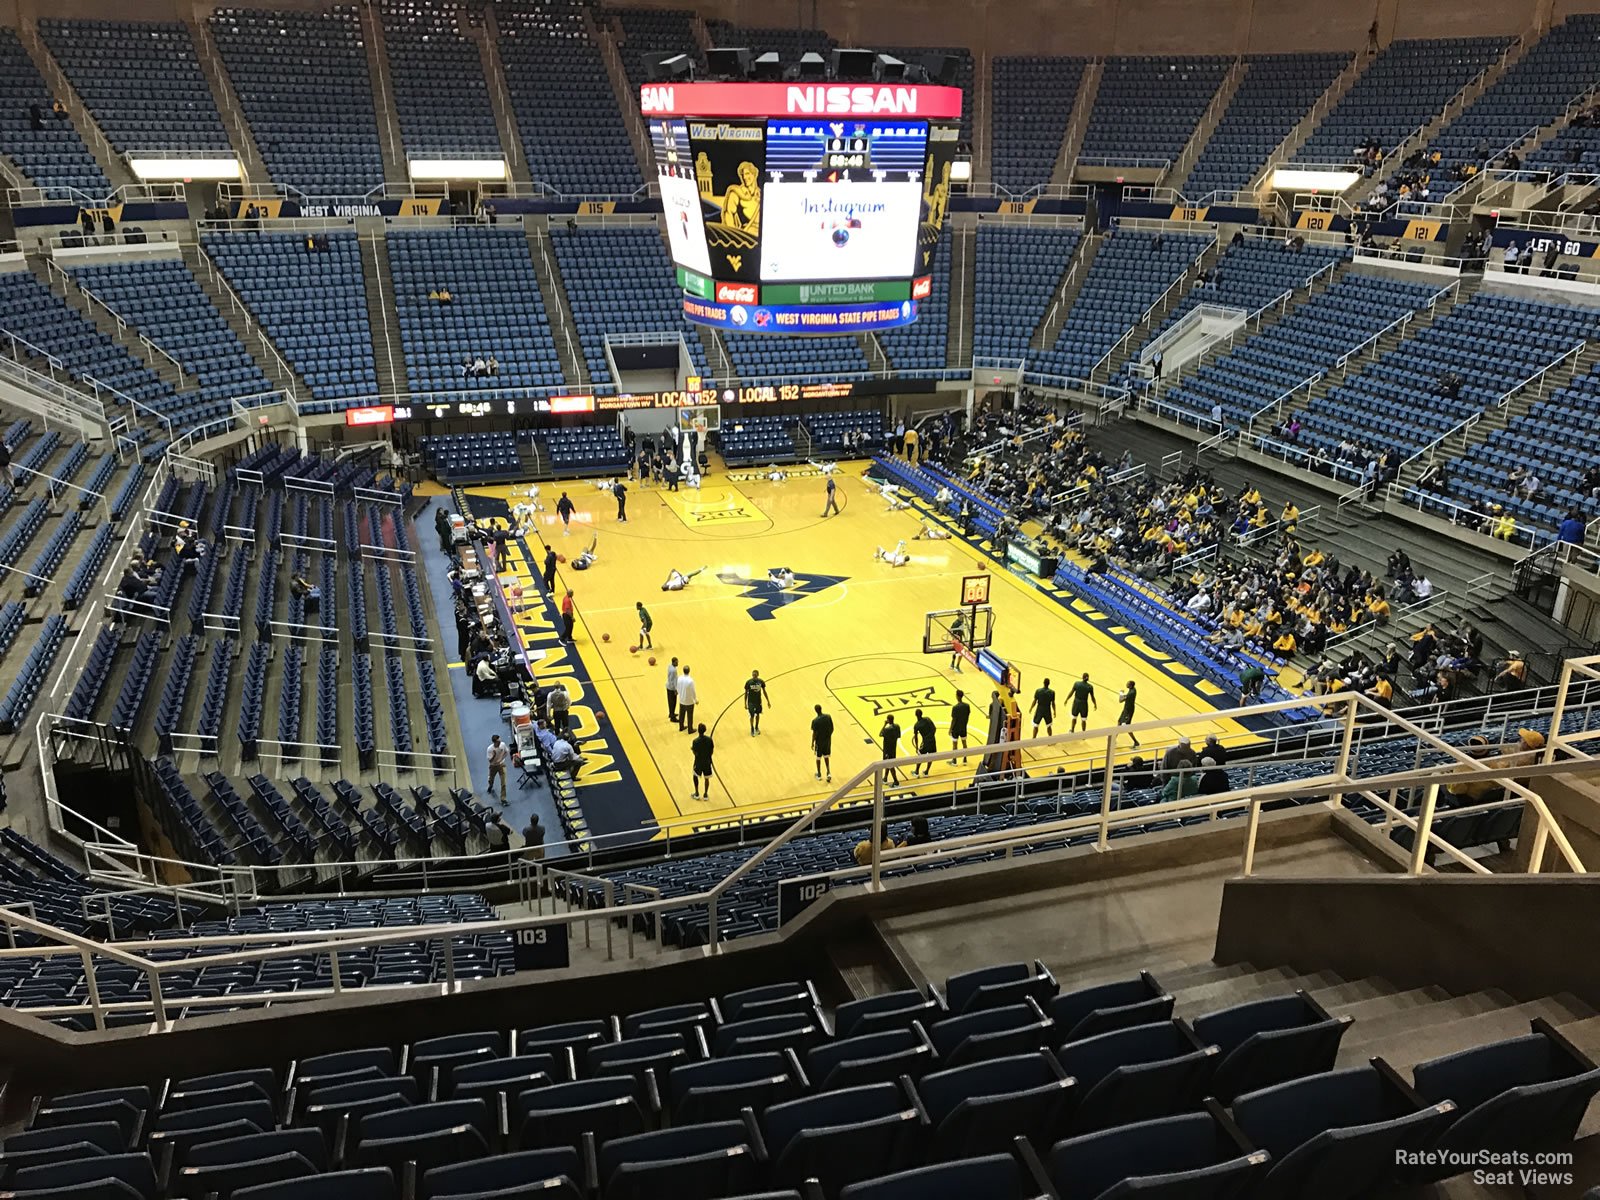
[1289, 604]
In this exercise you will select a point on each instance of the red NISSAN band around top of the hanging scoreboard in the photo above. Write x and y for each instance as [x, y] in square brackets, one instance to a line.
[799, 100]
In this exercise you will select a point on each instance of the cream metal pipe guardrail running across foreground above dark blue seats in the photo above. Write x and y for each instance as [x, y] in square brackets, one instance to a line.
[1346, 711]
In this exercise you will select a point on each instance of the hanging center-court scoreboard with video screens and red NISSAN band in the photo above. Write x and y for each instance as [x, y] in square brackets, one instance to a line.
[804, 209]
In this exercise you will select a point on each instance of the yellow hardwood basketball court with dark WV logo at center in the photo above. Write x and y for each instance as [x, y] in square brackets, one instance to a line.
[849, 634]
